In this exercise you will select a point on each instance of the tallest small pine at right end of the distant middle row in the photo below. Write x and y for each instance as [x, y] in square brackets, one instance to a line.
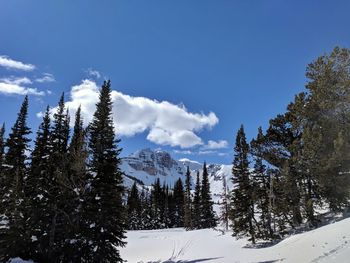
[206, 204]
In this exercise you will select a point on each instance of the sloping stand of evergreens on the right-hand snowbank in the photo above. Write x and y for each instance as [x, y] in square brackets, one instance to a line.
[302, 162]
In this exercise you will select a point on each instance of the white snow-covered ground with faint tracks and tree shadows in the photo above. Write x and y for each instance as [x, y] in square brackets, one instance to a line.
[330, 244]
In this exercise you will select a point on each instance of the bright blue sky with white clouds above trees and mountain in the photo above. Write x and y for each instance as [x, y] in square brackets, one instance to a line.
[186, 74]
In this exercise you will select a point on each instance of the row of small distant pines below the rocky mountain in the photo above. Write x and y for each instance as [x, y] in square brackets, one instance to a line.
[168, 208]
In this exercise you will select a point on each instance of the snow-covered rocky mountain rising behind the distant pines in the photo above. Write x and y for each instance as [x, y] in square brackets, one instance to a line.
[145, 166]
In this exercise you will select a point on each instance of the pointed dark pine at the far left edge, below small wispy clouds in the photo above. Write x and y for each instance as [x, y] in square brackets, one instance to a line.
[14, 237]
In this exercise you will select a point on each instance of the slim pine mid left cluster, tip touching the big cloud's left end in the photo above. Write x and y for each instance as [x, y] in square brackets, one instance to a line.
[57, 184]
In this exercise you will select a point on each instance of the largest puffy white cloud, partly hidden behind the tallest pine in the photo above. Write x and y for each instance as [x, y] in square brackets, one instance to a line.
[165, 123]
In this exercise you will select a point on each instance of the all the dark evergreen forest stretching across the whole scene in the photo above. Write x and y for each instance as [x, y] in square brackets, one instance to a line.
[64, 201]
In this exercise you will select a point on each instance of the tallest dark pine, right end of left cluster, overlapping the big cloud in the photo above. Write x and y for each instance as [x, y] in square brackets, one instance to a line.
[104, 211]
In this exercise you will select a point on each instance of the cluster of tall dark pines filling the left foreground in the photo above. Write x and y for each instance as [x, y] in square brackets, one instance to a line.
[63, 202]
